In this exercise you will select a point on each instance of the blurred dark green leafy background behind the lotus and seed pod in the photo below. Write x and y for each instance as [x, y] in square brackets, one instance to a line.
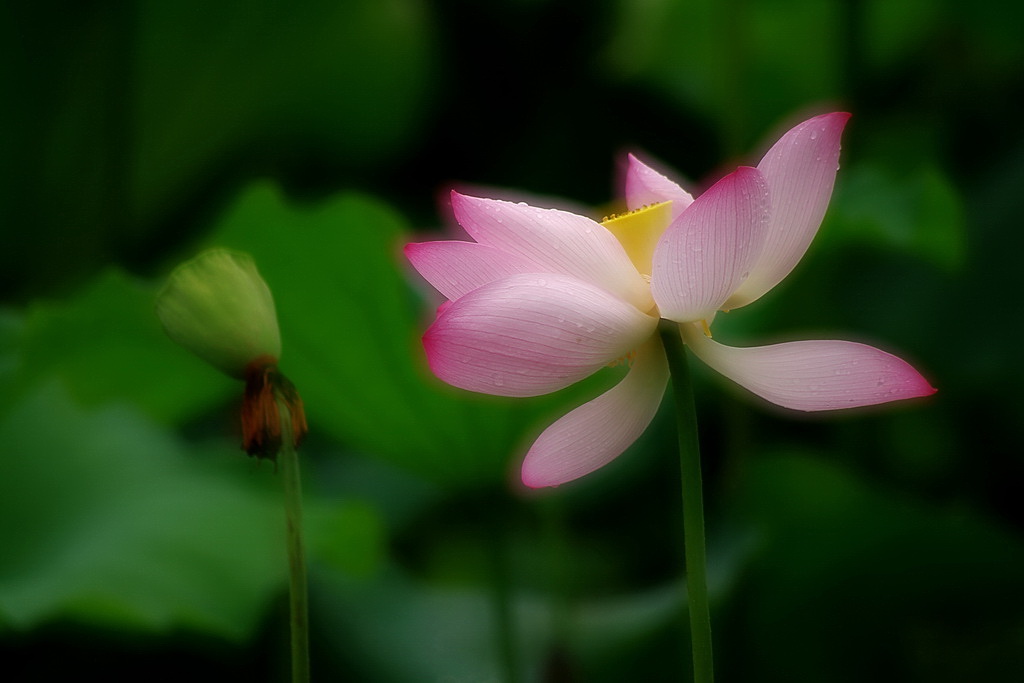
[137, 539]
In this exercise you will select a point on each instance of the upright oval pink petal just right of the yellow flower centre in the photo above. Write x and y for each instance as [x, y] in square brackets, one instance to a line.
[709, 250]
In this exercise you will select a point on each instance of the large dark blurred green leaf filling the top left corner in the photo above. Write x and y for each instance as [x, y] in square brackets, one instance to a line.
[133, 116]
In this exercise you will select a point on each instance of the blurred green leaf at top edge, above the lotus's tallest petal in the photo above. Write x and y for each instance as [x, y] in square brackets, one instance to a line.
[737, 64]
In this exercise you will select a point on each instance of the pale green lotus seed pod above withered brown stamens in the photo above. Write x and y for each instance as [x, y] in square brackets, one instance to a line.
[219, 308]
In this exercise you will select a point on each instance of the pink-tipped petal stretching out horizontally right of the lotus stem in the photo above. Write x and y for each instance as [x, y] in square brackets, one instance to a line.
[813, 375]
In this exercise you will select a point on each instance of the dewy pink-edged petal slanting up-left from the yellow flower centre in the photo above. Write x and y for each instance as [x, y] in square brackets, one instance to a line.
[560, 241]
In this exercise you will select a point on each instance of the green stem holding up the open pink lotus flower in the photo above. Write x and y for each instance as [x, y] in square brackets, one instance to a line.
[694, 526]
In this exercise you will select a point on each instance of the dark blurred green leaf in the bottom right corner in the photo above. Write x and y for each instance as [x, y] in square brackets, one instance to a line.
[851, 583]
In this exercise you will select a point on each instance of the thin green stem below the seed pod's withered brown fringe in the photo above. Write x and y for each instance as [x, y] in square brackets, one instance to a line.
[288, 459]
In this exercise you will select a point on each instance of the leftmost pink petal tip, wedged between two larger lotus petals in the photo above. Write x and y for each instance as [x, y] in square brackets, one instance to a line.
[456, 268]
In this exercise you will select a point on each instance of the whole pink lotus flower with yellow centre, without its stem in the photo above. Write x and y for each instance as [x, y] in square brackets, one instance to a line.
[544, 298]
